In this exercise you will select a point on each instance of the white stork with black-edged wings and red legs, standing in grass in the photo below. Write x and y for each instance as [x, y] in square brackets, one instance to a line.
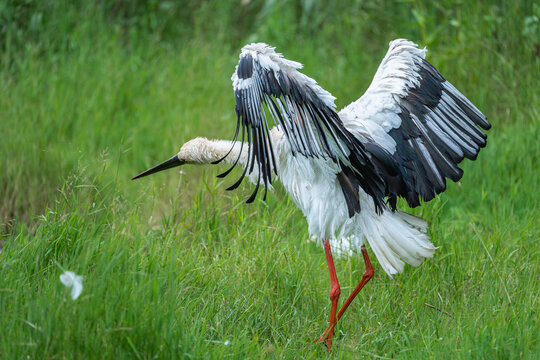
[345, 169]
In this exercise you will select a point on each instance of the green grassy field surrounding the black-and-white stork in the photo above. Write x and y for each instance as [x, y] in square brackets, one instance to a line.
[174, 266]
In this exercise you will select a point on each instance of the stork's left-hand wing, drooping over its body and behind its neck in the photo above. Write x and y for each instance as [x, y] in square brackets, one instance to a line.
[267, 85]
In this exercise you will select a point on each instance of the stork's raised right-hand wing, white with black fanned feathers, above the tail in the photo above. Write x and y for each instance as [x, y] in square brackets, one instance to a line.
[415, 120]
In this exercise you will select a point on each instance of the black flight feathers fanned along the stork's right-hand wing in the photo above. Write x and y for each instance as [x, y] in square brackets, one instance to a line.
[439, 127]
